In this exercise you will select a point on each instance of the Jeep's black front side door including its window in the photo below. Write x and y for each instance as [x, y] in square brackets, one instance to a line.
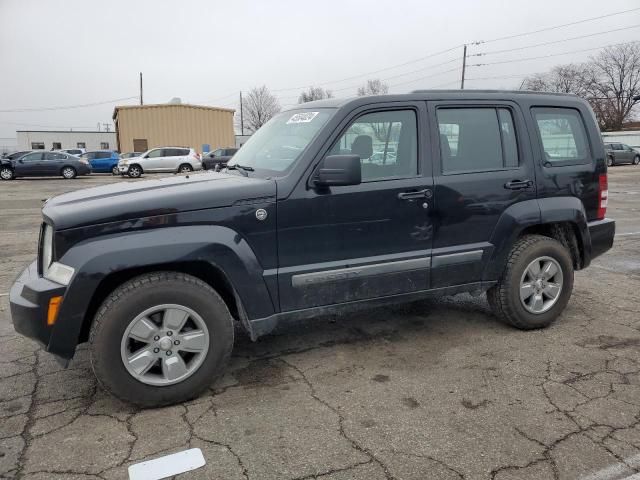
[350, 243]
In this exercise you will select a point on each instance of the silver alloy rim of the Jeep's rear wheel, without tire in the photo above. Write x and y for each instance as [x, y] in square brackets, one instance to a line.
[541, 285]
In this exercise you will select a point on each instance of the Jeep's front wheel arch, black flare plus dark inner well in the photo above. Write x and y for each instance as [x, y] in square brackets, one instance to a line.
[104, 263]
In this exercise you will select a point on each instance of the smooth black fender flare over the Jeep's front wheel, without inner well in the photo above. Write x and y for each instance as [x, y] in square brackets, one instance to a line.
[97, 258]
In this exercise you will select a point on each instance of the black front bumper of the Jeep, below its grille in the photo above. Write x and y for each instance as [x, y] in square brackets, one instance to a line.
[29, 301]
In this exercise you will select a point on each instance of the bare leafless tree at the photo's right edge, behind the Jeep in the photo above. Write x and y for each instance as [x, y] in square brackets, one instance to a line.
[614, 84]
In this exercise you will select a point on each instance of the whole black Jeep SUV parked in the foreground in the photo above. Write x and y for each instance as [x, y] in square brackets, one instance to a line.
[332, 205]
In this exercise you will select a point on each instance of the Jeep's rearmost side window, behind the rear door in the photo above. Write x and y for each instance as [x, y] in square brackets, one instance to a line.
[563, 136]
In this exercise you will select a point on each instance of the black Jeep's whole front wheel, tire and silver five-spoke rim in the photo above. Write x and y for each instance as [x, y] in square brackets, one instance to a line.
[160, 338]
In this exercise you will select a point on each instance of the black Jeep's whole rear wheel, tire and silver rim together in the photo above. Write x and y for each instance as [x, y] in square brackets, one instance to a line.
[536, 284]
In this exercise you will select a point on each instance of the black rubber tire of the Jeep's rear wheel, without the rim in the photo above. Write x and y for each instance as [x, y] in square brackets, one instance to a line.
[504, 298]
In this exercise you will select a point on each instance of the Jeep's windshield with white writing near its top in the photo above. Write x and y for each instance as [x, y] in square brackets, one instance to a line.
[276, 146]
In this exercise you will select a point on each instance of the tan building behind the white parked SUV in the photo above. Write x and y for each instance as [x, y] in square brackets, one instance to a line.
[141, 127]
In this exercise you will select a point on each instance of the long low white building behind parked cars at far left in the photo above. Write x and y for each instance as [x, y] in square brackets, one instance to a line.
[54, 140]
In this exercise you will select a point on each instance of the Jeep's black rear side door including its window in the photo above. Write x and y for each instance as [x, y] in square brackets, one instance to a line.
[484, 166]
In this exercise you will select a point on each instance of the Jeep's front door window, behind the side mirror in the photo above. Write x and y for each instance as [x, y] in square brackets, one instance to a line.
[387, 143]
